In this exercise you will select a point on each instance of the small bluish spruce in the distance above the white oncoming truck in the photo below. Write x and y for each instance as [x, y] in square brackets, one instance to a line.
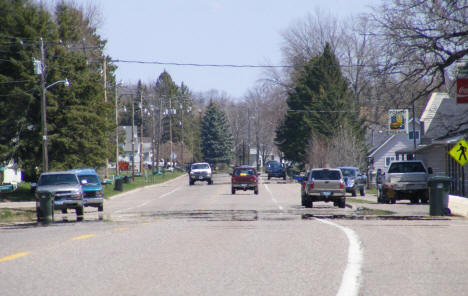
[216, 137]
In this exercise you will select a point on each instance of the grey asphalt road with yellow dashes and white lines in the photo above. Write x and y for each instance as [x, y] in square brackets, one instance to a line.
[176, 239]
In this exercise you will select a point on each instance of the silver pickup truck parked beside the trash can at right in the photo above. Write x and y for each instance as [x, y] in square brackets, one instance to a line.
[405, 179]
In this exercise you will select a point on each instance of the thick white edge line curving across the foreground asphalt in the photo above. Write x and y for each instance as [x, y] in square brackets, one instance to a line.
[352, 275]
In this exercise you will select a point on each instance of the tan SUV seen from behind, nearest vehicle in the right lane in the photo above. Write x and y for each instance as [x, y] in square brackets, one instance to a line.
[323, 184]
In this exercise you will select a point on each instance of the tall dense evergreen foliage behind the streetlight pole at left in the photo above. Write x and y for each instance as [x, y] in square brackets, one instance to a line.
[79, 121]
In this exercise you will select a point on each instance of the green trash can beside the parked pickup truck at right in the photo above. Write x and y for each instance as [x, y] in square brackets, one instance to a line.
[439, 188]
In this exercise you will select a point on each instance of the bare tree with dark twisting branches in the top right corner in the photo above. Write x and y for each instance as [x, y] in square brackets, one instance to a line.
[420, 40]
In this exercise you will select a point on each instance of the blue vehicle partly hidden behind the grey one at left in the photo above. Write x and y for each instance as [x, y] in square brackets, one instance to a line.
[92, 188]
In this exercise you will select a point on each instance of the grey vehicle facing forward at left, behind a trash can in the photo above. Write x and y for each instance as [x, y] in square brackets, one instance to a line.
[66, 189]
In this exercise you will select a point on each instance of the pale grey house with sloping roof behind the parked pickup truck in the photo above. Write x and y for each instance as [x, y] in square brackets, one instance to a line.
[387, 147]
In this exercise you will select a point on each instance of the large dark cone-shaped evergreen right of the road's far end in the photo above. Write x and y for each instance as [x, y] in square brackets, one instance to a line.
[320, 105]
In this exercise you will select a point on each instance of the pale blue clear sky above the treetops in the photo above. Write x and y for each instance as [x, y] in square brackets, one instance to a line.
[236, 32]
